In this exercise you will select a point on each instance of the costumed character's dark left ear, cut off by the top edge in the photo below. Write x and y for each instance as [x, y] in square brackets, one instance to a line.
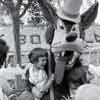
[48, 11]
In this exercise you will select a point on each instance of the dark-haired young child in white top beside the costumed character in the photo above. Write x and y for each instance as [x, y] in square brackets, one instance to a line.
[37, 78]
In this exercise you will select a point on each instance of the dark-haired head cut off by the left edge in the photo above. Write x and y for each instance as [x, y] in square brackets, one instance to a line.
[3, 51]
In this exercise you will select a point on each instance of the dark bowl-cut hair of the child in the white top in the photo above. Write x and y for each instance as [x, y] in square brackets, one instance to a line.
[36, 53]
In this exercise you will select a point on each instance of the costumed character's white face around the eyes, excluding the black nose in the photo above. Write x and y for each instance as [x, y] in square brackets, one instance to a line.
[62, 31]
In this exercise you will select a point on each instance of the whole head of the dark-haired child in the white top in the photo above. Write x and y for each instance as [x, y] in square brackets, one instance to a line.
[38, 56]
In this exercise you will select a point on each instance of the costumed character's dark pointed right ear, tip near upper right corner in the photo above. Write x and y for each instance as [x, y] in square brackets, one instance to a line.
[89, 16]
